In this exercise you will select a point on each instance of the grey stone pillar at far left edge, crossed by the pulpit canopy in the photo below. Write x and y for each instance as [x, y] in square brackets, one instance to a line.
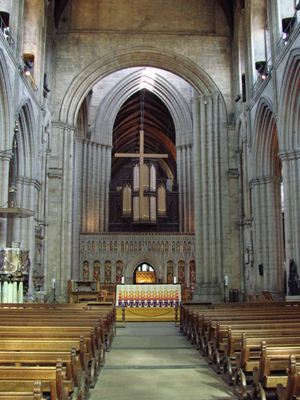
[4, 179]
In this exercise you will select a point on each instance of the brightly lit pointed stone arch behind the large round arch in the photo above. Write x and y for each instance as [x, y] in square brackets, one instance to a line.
[174, 101]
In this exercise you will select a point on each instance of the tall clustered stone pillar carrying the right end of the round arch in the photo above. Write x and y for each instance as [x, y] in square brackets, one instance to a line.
[207, 183]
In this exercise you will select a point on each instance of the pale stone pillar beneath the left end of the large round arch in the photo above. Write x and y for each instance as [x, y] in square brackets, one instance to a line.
[60, 208]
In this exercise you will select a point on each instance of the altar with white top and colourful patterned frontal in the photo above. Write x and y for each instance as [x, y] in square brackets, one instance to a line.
[148, 295]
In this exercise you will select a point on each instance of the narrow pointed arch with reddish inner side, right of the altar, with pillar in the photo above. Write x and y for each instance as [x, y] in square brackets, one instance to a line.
[268, 271]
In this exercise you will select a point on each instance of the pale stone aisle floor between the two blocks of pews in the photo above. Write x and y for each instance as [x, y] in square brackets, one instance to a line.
[152, 361]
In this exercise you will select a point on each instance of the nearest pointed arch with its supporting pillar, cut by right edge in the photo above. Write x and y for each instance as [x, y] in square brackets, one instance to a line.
[289, 139]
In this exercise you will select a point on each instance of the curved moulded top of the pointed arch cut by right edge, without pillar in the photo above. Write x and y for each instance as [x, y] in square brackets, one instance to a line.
[289, 116]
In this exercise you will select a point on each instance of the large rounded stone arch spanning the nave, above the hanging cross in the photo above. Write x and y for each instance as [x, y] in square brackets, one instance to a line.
[137, 57]
